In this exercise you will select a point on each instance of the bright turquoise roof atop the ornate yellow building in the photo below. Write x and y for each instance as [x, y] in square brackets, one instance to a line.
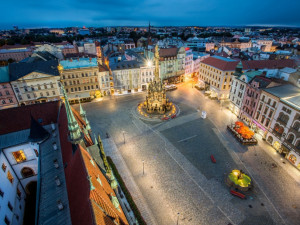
[79, 63]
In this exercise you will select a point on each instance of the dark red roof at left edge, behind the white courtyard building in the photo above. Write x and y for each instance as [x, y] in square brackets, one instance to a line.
[16, 119]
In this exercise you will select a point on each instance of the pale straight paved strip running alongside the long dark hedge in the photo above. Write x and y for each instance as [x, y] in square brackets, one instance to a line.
[112, 151]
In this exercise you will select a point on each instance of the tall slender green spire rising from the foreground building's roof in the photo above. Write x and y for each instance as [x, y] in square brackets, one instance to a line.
[75, 135]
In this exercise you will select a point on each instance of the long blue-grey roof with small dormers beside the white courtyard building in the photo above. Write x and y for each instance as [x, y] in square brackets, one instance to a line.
[52, 193]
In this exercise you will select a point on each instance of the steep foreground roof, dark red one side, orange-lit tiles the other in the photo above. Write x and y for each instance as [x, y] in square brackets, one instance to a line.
[86, 206]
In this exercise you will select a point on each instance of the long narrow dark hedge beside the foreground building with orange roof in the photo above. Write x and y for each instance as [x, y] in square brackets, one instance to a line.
[133, 206]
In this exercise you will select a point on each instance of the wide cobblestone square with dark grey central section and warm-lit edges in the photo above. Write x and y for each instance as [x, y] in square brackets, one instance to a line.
[178, 175]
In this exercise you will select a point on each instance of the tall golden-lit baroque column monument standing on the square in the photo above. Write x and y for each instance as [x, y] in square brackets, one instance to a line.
[156, 100]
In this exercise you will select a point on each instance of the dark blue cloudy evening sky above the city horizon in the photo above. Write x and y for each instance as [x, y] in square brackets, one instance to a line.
[61, 13]
